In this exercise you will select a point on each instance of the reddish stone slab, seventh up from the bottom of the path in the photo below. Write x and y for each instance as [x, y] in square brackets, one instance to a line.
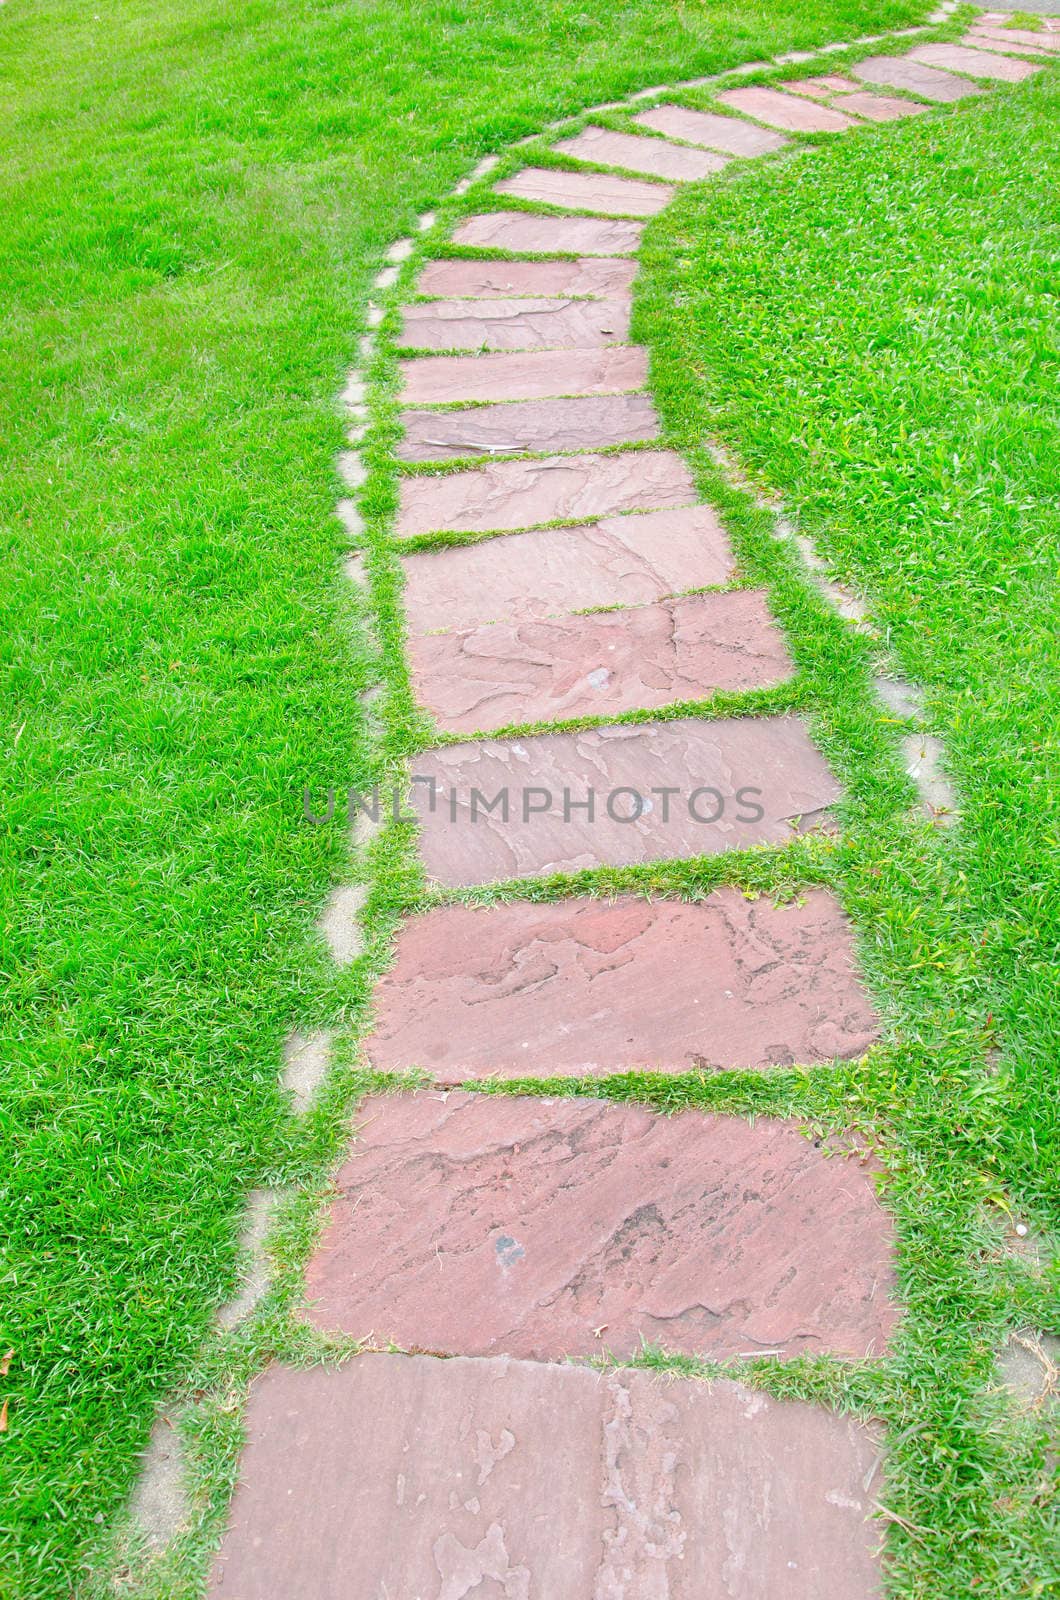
[523, 494]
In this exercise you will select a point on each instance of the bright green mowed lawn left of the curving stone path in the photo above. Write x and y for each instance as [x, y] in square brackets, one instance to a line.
[195, 201]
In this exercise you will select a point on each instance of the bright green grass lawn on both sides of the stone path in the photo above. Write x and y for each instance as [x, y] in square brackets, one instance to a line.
[193, 207]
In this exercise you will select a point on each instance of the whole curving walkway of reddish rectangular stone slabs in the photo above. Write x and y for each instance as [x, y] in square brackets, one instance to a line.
[507, 1239]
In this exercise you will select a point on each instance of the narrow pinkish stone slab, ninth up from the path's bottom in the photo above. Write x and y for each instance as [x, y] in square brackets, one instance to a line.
[539, 375]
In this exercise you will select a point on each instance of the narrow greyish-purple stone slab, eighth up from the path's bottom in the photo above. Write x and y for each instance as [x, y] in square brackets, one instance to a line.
[585, 423]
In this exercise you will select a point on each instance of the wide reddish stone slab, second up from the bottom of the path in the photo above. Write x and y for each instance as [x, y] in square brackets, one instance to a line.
[473, 1225]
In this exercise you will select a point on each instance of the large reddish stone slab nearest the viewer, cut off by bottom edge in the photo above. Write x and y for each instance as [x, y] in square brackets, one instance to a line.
[416, 1479]
